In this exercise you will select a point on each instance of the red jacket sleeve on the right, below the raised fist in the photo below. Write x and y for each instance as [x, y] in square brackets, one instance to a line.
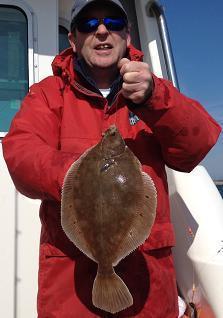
[184, 130]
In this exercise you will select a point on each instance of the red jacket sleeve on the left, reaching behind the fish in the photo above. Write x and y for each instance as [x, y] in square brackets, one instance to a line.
[31, 148]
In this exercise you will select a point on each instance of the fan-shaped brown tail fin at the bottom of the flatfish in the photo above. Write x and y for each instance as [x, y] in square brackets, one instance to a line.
[110, 293]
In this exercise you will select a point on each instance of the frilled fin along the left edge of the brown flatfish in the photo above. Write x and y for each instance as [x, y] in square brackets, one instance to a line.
[69, 221]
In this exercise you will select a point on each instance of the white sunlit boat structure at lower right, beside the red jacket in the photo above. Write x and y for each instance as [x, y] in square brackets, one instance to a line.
[197, 214]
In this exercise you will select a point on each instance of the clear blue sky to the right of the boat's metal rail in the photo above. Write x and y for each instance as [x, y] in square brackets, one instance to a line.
[196, 29]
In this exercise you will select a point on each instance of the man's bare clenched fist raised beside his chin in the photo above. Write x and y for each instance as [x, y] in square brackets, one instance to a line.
[137, 80]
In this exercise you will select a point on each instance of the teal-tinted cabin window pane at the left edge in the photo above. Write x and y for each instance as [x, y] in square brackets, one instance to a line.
[13, 62]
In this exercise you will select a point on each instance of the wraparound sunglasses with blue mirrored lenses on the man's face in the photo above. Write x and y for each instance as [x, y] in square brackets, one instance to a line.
[88, 25]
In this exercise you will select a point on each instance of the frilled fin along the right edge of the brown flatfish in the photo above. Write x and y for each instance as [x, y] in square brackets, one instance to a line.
[142, 225]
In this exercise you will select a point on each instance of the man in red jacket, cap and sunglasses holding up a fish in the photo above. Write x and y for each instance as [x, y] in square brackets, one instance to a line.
[101, 81]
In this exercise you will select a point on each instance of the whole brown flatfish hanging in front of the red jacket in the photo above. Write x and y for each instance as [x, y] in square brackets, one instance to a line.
[108, 209]
